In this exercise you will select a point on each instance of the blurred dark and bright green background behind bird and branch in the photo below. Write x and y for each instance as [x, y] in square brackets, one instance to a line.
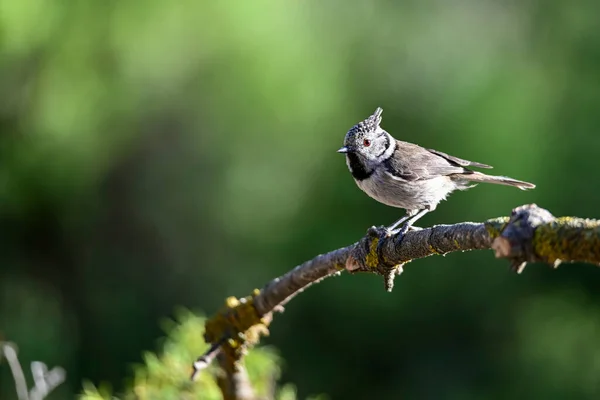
[156, 154]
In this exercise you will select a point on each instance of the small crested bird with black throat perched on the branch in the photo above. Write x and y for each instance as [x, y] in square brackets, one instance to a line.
[405, 175]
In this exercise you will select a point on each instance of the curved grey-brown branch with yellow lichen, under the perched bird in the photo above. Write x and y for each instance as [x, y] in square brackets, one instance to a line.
[531, 234]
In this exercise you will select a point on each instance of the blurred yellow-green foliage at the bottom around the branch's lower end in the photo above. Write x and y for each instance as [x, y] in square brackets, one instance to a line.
[167, 376]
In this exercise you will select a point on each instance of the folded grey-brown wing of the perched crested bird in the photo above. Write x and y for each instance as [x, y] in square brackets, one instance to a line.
[411, 162]
